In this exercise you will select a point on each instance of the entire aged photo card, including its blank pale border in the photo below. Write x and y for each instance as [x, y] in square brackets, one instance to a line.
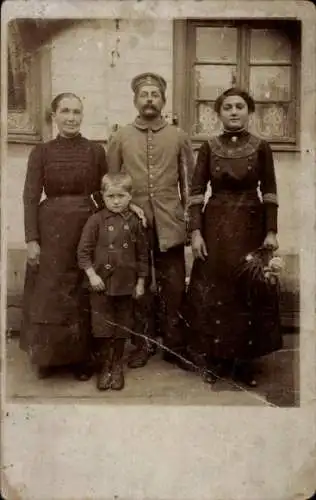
[158, 226]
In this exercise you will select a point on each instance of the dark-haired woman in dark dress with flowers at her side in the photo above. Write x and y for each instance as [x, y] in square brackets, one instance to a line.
[239, 217]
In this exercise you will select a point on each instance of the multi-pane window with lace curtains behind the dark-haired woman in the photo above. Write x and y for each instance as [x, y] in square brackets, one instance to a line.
[260, 57]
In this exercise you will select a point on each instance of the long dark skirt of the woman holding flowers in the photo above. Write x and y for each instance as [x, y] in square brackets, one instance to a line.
[221, 324]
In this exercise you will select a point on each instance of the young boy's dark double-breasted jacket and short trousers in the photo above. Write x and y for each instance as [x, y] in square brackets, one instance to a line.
[115, 245]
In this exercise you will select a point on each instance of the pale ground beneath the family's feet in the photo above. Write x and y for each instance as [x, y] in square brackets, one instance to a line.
[161, 383]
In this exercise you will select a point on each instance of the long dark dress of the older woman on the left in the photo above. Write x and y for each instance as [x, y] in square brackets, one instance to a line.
[55, 326]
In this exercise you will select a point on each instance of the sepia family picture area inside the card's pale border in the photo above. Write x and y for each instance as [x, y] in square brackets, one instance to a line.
[188, 290]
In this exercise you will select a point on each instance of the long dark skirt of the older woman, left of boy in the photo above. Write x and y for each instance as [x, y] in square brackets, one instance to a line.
[56, 314]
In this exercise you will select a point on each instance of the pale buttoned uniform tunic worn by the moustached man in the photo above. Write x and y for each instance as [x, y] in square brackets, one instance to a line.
[160, 160]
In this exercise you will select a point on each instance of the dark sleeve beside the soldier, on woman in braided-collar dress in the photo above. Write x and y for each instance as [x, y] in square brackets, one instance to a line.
[200, 179]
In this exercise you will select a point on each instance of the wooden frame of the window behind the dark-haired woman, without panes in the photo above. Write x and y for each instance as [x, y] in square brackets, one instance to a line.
[185, 56]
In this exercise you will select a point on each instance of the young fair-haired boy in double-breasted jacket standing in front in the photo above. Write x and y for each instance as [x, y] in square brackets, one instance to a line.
[114, 255]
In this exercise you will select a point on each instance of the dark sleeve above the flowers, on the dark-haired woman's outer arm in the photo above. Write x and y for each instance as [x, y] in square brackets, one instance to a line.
[268, 186]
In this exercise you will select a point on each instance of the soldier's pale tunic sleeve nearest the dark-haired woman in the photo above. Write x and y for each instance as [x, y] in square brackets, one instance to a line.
[185, 168]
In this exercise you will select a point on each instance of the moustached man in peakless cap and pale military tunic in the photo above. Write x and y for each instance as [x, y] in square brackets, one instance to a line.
[159, 158]
